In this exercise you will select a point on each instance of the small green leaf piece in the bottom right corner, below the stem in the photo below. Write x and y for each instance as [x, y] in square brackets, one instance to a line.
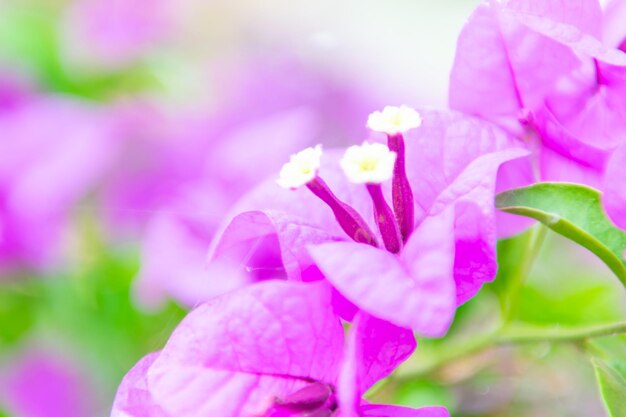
[612, 384]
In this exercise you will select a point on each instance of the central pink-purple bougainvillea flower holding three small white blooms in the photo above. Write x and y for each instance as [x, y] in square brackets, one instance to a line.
[357, 241]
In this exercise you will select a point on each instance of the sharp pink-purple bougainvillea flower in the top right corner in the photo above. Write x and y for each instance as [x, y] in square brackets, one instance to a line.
[558, 77]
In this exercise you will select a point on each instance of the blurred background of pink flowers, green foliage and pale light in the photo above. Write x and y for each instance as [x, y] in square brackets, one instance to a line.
[128, 129]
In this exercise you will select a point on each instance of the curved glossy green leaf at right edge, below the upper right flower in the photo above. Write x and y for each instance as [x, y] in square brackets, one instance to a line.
[574, 211]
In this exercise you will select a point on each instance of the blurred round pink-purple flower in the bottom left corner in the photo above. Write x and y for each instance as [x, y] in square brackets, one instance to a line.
[44, 385]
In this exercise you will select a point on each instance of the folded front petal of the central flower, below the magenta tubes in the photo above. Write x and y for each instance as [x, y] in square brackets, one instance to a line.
[415, 291]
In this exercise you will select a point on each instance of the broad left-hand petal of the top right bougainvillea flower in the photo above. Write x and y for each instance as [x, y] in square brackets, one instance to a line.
[501, 61]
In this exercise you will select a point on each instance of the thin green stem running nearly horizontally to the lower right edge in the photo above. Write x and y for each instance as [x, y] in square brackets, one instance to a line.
[509, 337]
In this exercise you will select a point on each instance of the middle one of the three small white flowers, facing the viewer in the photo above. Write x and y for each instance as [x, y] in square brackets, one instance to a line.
[370, 163]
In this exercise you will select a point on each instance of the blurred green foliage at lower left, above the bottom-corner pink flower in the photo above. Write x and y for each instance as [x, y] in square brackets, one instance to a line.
[93, 311]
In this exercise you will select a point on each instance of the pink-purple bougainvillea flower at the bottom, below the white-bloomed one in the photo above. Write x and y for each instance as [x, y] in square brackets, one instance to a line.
[274, 349]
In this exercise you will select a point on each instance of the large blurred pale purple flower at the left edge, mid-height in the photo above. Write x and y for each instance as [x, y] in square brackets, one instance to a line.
[53, 152]
